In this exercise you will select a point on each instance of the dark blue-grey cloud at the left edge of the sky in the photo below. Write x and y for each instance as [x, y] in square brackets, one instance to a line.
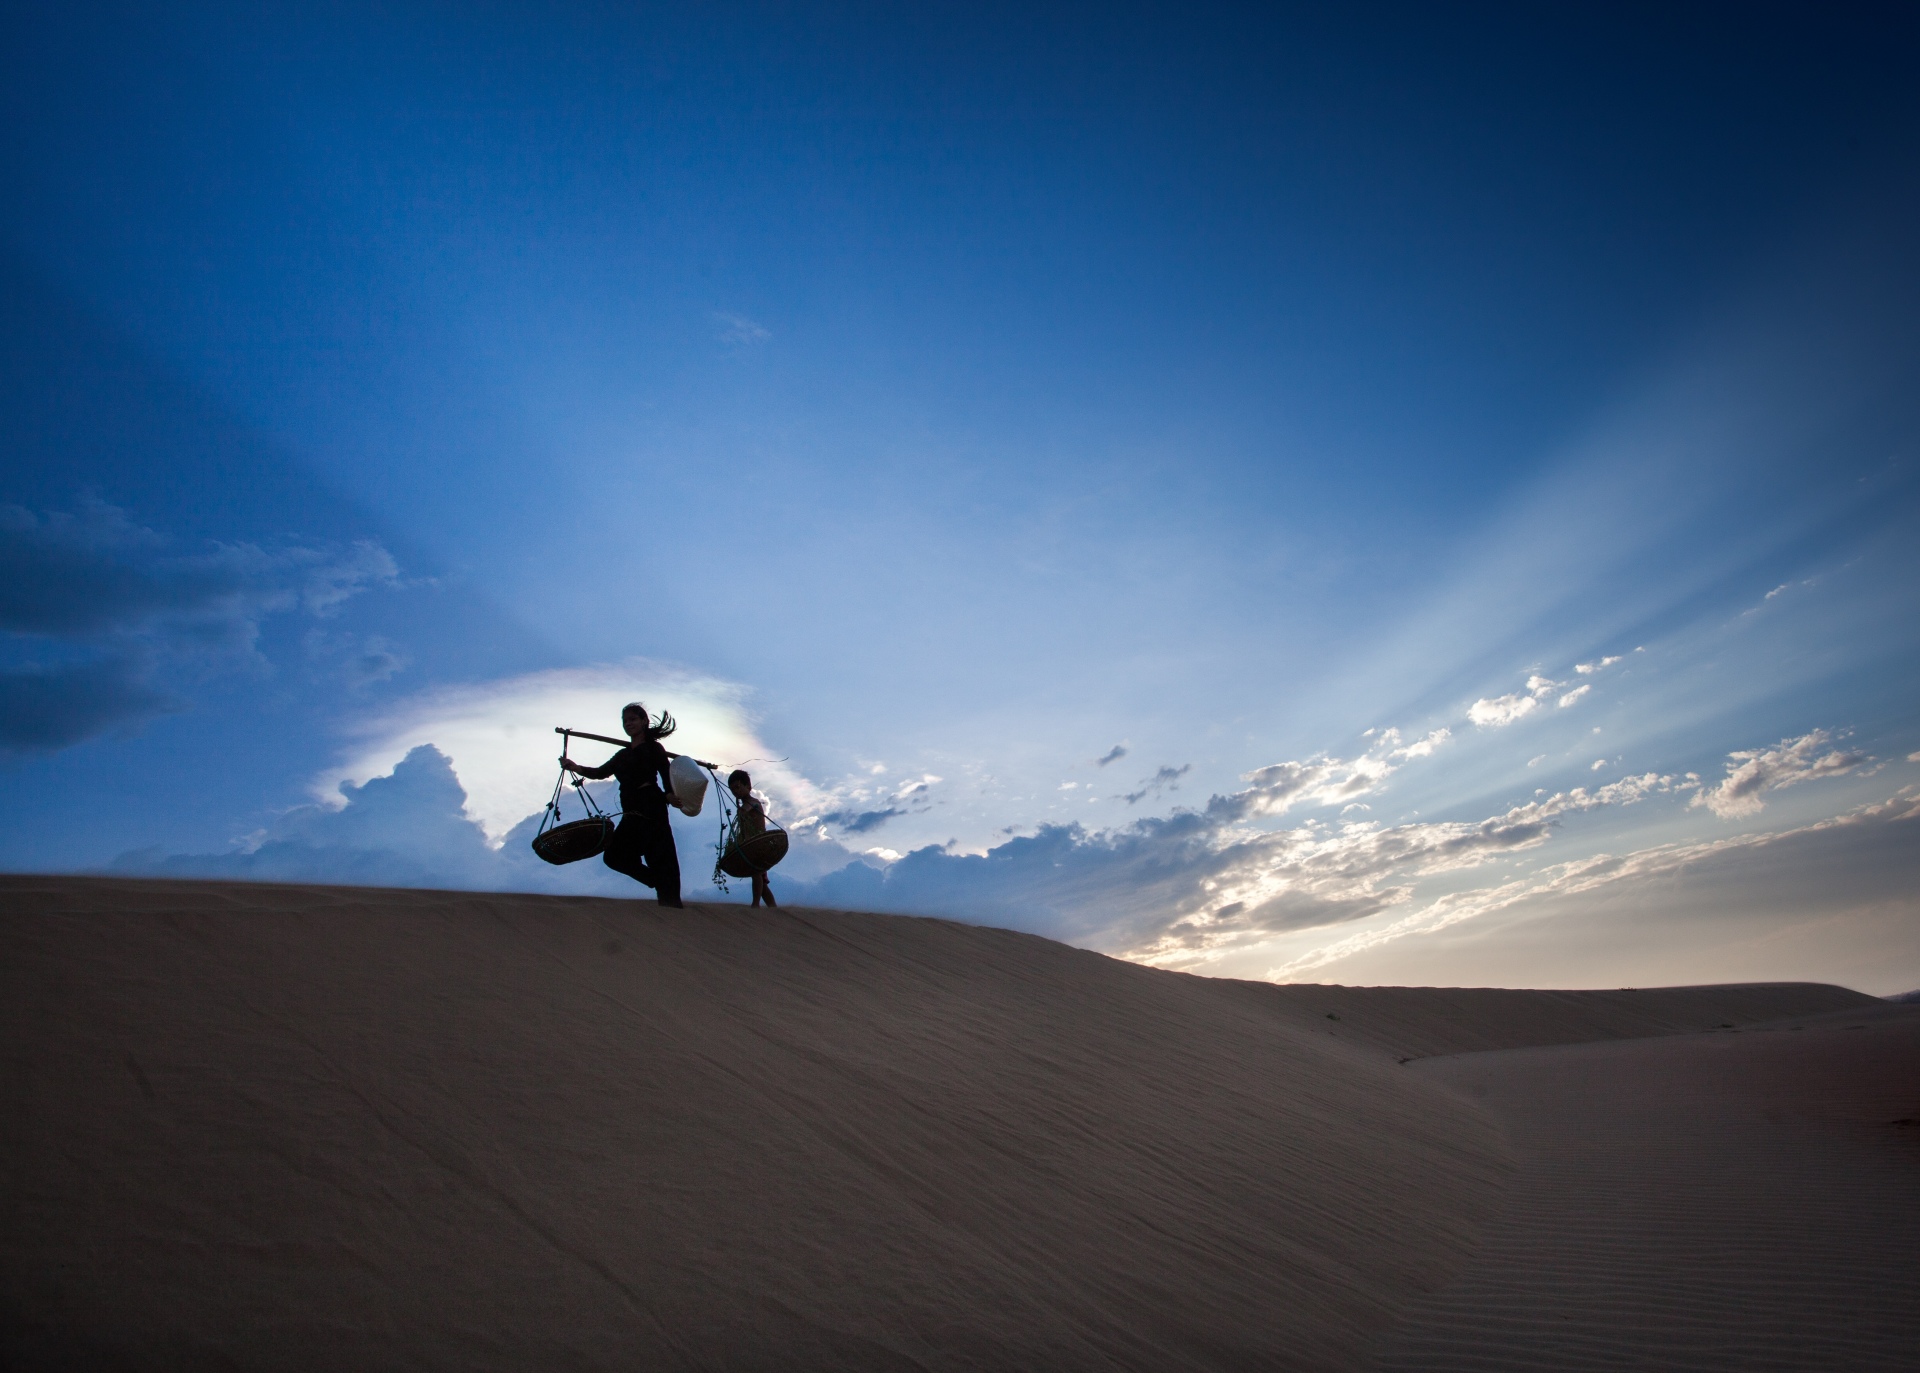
[97, 610]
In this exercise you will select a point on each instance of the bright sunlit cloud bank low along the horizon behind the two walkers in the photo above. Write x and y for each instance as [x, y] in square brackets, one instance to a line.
[446, 788]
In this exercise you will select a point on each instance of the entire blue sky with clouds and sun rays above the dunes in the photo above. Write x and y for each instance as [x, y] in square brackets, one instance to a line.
[1376, 494]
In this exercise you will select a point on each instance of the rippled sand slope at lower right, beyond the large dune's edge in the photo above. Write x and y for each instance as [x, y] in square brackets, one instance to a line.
[1739, 1201]
